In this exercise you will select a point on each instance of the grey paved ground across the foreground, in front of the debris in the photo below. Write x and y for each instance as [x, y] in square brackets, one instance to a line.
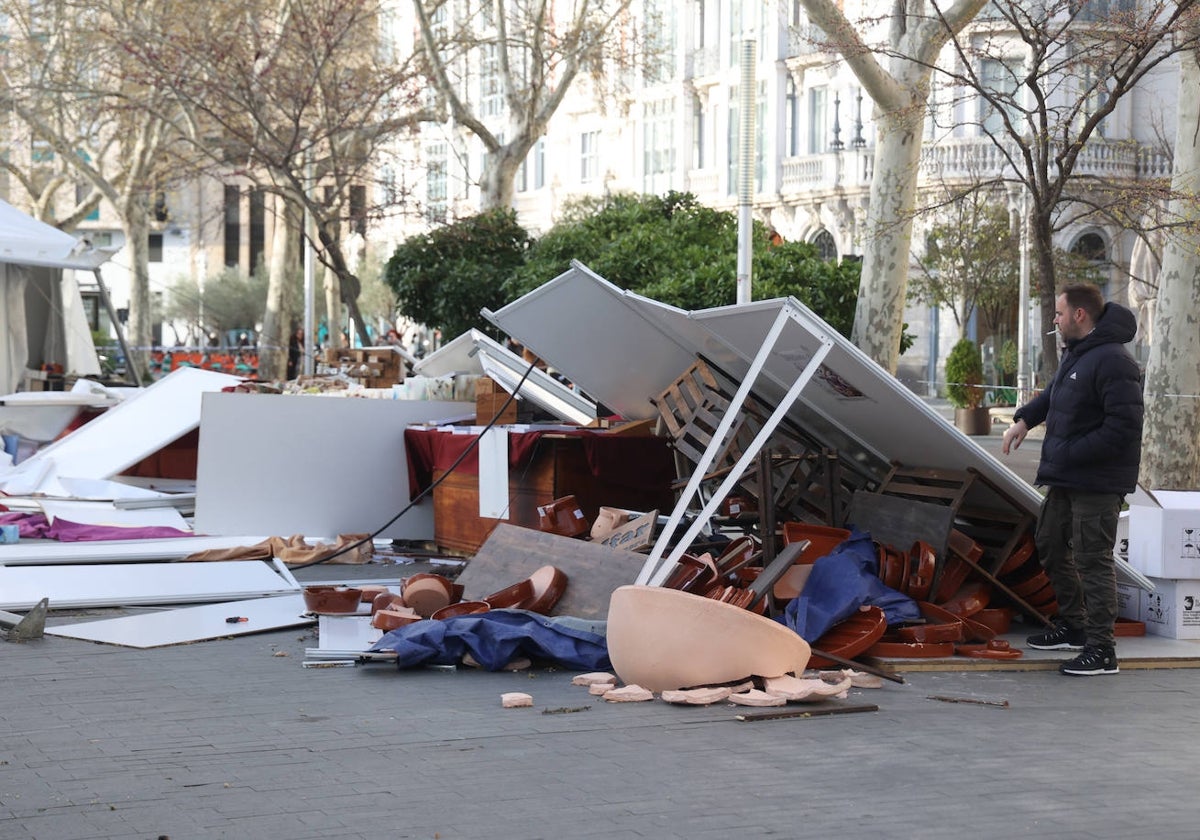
[233, 739]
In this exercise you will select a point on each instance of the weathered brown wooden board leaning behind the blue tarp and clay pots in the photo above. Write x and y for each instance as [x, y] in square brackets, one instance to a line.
[513, 554]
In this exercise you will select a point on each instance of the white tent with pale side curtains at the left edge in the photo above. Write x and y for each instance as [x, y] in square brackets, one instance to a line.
[43, 320]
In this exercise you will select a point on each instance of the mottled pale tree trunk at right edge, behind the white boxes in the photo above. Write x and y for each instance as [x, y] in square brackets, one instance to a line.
[1172, 439]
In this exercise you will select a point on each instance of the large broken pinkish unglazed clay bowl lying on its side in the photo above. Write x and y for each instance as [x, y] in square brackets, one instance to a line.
[665, 640]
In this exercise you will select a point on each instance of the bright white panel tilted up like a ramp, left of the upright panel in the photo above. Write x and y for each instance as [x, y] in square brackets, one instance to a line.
[137, 428]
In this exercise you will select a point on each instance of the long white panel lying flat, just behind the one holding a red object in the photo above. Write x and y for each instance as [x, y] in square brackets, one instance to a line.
[142, 584]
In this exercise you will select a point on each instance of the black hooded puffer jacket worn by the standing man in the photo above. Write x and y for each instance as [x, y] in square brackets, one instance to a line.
[1093, 411]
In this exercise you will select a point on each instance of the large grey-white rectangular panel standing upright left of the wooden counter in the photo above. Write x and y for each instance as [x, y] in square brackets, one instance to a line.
[309, 465]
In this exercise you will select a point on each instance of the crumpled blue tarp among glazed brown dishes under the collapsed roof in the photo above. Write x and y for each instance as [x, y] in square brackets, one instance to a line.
[841, 583]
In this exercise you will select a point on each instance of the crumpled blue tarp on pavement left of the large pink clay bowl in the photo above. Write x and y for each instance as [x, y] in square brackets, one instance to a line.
[499, 637]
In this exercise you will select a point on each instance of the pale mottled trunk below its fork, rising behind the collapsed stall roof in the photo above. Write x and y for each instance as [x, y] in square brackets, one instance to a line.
[881, 297]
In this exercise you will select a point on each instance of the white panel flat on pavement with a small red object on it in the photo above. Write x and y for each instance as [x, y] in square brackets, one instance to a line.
[191, 625]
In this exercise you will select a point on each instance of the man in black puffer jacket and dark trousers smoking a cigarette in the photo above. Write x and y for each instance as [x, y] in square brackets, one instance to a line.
[1090, 458]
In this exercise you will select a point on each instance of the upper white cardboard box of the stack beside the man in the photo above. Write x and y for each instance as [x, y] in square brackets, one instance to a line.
[1165, 533]
